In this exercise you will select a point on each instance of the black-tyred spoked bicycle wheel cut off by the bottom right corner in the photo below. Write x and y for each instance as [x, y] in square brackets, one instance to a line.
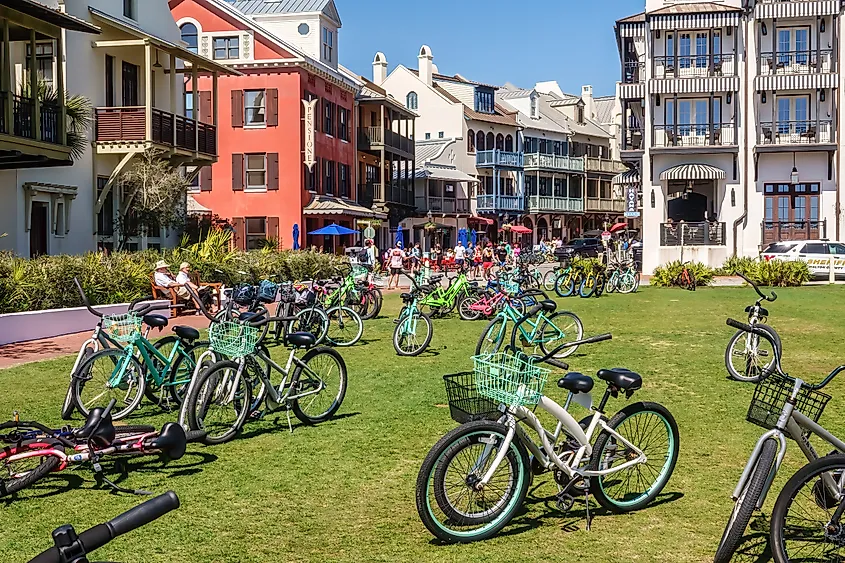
[803, 526]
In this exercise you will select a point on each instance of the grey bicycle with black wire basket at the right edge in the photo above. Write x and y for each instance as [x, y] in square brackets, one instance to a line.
[785, 407]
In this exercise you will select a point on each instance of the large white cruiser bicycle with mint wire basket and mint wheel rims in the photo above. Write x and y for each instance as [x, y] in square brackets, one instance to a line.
[473, 481]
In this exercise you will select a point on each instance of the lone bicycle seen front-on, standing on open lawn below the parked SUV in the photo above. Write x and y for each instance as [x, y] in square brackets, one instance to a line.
[750, 354]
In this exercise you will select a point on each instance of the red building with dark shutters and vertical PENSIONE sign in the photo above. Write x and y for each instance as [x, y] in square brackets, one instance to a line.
[278, 179]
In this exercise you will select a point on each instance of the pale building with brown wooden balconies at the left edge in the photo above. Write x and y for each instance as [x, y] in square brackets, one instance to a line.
[127, 62]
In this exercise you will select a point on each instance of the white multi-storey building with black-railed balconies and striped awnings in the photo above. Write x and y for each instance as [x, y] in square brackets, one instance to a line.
[730, 118]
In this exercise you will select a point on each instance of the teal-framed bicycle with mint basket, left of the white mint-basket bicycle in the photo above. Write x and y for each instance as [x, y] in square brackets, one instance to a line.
[140, 367]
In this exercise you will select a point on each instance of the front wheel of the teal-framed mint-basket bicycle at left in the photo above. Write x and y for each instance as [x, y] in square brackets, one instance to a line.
[109, 374]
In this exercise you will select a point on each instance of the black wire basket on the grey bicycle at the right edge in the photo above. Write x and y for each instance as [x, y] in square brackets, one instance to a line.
[771, 394]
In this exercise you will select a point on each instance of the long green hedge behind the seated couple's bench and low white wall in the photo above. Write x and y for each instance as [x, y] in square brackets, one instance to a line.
[46, 282]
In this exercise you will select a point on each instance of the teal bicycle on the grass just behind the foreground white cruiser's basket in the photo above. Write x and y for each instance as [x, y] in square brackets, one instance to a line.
[545, 332]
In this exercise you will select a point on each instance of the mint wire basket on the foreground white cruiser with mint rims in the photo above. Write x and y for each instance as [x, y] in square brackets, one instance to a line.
[512, 379]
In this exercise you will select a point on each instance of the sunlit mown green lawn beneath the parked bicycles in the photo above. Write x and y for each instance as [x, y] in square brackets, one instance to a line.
[344, 490]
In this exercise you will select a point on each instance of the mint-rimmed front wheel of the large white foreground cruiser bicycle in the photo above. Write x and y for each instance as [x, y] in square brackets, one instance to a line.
[448, 503]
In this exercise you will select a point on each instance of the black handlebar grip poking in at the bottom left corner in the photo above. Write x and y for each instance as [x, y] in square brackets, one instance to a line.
[98, 536]
